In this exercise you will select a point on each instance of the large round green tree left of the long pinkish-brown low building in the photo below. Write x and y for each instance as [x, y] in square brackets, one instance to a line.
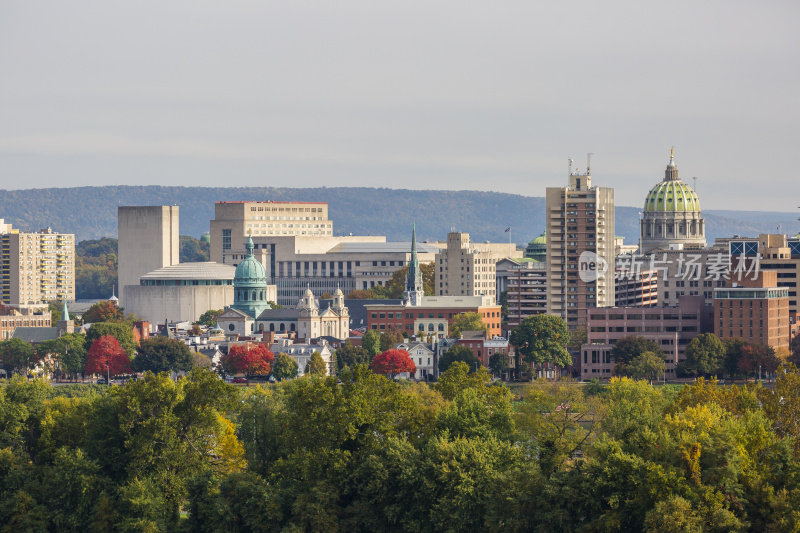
[542, 339]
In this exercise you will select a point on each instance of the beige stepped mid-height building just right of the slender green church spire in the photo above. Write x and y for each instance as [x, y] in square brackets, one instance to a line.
[464, 268]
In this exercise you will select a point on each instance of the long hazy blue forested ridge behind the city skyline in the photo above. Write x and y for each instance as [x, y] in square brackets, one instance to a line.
[91, 212]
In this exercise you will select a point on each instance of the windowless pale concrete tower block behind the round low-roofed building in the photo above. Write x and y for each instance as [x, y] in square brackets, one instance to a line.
[148, 240]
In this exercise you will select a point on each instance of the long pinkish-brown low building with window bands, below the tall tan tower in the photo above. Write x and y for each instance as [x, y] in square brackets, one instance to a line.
[671, 327]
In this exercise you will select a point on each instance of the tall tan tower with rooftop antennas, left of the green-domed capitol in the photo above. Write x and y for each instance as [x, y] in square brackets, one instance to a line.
[580, 248]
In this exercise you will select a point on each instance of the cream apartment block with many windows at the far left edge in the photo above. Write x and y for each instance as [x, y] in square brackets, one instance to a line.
[36, 267]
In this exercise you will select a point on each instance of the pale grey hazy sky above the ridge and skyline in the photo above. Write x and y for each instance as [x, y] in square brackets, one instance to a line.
[412, 94]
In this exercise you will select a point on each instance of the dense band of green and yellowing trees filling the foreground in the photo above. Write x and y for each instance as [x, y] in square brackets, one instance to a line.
[360, 452]
